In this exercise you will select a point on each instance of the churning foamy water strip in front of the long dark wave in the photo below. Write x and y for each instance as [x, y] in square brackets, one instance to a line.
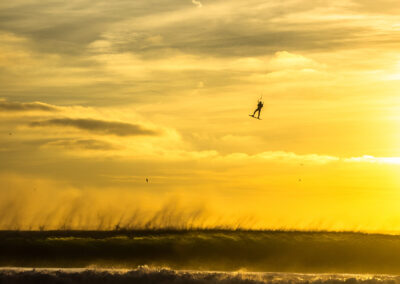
[147, 275]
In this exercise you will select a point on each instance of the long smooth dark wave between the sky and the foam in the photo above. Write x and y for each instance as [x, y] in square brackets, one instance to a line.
[213, 250]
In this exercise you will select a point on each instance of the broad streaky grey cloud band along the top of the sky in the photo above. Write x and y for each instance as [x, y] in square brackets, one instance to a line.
[234, 29]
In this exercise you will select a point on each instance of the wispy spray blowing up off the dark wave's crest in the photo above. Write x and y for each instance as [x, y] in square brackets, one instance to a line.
[90, 212]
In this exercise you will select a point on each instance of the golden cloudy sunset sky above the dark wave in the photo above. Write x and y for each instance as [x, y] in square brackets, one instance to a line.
[97, 96]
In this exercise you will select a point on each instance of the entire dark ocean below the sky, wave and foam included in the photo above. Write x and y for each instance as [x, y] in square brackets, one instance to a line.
[198, 256]
